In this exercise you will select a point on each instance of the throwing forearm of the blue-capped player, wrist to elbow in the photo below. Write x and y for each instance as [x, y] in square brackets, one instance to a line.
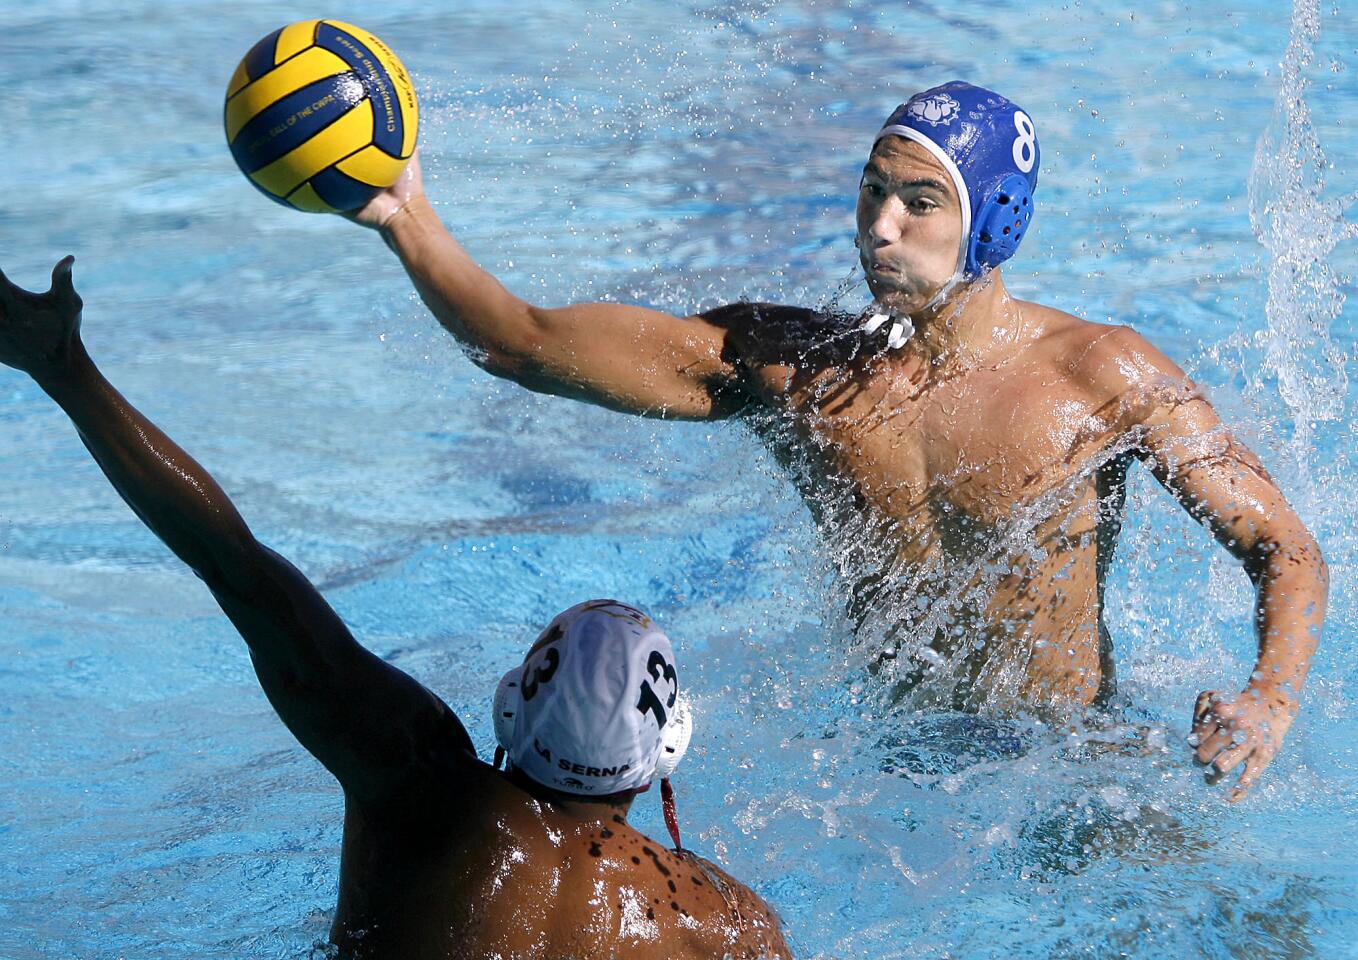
[468, 301]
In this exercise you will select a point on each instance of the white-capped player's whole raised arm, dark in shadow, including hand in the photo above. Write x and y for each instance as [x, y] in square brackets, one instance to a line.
[363, 719]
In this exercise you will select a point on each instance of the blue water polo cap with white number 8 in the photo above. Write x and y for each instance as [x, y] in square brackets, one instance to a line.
[991, 149]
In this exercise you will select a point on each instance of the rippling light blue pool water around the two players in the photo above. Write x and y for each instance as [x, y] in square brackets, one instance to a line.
[1198, 174]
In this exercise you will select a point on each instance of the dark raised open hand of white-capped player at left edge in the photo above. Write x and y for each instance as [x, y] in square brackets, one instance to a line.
[40, 332]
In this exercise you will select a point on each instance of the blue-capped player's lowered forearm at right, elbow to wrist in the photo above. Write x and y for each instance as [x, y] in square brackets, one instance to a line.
[1293, 585]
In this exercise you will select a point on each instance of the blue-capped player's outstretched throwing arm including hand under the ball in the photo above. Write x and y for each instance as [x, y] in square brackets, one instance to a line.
[624, 358]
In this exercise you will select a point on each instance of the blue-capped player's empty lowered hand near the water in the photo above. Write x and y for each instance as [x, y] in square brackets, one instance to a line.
[1249, 728]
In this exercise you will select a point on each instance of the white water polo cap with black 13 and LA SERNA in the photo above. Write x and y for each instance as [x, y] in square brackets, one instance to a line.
[597, 708]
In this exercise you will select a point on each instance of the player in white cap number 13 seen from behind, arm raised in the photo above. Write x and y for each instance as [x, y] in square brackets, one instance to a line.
[445, 857]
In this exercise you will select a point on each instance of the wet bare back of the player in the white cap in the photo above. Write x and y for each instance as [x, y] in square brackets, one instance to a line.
[479, 868]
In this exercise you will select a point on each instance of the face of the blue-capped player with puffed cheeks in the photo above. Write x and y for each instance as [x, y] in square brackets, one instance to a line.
[909, 225]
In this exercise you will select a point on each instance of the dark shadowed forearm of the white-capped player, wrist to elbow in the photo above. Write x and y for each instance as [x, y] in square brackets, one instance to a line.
[166, 488]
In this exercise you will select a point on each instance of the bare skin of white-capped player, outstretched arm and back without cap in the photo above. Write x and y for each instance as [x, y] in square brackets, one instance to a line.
[445, 857]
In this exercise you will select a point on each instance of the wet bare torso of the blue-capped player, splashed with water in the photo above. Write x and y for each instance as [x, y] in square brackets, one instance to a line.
[997, 487]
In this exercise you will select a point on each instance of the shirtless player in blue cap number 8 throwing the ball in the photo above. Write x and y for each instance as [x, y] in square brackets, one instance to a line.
[984, 441]
